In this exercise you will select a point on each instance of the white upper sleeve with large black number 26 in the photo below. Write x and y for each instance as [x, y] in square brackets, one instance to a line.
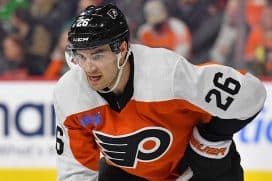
[221, 91]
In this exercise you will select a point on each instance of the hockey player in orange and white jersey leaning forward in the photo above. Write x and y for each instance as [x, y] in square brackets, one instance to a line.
[152, 114]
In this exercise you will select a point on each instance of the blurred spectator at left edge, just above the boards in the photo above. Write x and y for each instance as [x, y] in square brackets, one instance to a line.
[17, 62]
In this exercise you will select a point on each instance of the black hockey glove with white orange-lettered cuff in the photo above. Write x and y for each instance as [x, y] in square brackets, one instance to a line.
[210, 160]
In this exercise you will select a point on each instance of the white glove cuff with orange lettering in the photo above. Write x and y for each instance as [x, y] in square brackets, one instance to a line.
[209, 149]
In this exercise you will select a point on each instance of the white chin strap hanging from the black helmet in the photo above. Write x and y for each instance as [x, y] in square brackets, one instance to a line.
[120, 71]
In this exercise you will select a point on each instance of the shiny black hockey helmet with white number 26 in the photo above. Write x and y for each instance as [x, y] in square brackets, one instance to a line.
[99, 25]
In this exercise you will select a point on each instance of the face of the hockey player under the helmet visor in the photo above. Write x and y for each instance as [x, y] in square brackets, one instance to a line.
[100, 66]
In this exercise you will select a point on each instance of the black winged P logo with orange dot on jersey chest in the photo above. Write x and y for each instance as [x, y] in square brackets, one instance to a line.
[127, 150]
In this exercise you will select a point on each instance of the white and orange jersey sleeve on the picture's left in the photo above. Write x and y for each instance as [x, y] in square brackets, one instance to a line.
[77, 156]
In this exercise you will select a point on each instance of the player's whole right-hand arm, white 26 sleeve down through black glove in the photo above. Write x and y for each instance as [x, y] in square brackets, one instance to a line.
[232, 99]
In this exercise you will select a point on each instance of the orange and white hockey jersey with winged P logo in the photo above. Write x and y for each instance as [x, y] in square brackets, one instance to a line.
[148, 136]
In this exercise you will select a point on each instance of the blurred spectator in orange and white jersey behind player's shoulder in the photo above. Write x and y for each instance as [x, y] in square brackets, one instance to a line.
[160, 30]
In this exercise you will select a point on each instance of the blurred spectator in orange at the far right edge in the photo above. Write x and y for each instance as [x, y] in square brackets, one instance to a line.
[258, 53]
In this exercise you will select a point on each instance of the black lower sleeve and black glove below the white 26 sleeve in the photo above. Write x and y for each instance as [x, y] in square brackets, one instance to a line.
[211, 154]
